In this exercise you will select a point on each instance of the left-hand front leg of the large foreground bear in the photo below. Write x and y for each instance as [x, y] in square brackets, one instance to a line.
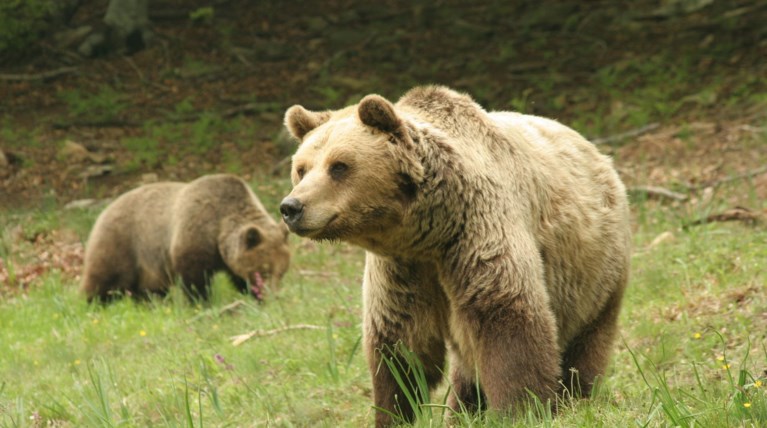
[404, 307]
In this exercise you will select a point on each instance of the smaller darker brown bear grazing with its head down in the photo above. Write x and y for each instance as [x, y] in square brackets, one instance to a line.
[157, 233]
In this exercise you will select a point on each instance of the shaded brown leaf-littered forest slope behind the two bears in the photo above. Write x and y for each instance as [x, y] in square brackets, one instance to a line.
[677, 96]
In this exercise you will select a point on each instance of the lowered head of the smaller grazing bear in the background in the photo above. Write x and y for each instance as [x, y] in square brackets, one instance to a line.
[258, 253]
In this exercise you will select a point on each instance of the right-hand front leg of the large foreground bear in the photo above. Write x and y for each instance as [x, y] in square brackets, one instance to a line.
[502, 326]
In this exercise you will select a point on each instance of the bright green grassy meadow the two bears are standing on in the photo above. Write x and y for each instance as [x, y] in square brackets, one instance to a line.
[691, 352]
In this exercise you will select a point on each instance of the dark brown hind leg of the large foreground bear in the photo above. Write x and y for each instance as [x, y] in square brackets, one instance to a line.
[588, 355]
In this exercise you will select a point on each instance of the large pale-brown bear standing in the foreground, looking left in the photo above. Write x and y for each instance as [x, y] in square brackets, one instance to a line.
[498, 238]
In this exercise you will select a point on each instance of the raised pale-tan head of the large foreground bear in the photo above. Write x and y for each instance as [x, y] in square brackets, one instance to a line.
[354, 174]
